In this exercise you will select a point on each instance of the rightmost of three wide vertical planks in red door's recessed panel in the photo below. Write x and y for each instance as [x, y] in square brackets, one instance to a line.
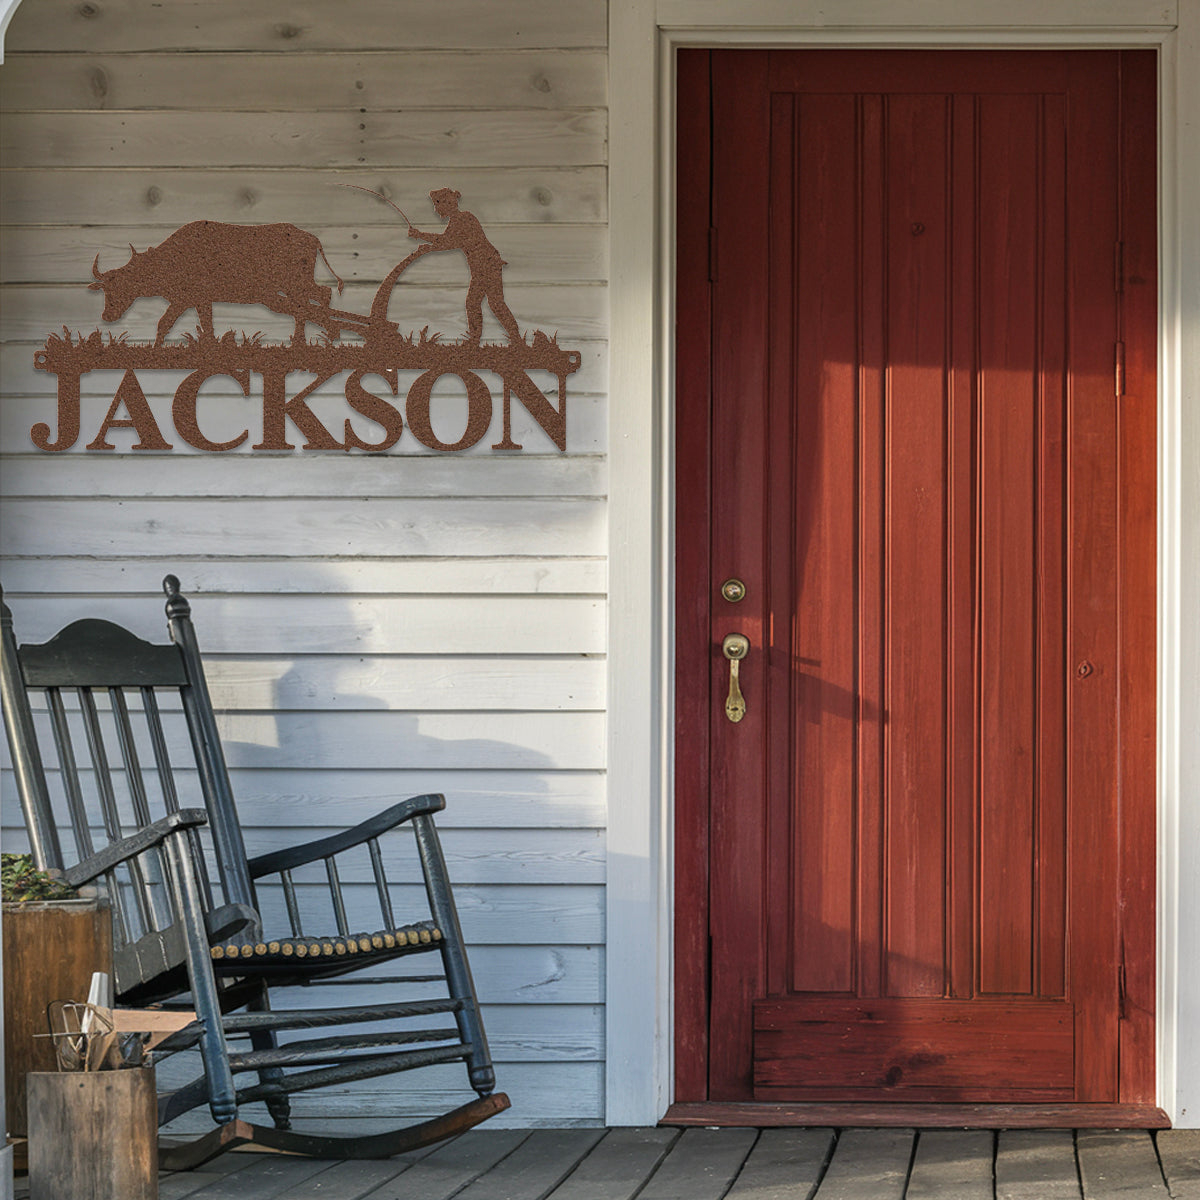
[1009, 503]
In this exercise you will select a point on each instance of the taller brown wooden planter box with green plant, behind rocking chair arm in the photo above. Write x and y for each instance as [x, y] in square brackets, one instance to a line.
[51, 950]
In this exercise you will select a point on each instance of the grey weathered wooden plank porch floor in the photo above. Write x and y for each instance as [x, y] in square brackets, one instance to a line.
[731, 1165]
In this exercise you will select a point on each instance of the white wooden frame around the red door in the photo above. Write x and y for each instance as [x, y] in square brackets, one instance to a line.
[644, 39]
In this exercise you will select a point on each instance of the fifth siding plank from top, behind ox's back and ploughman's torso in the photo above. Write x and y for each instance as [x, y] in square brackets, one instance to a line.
[535, 254]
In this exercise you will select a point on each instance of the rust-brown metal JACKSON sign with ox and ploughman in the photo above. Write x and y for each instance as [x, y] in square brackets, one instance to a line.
[275, 266]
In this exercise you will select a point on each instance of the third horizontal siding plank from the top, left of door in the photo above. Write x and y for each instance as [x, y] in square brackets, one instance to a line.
[446, 139]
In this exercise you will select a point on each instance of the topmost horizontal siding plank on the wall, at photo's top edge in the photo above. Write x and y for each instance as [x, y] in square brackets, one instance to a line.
[307, 25]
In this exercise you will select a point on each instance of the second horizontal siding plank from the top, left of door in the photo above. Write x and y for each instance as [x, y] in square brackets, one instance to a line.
[296, 81]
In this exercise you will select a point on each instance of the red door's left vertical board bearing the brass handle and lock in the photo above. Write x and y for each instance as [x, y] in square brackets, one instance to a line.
[741, 161]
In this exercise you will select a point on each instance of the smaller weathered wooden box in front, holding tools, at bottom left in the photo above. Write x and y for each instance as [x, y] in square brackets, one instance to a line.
[93, 1135]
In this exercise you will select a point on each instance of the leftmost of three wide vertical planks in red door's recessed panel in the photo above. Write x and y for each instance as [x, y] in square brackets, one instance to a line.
[823, 393]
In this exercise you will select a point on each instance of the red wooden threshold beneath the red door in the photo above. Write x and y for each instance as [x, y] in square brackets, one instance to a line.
[897, 1115]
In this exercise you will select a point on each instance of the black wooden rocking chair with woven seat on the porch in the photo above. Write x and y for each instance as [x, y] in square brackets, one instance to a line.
[103, 710]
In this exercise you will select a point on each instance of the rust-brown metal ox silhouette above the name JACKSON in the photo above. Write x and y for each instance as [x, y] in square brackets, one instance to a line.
[206, 263]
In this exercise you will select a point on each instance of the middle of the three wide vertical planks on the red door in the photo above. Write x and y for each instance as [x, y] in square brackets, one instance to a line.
[915, 651]
